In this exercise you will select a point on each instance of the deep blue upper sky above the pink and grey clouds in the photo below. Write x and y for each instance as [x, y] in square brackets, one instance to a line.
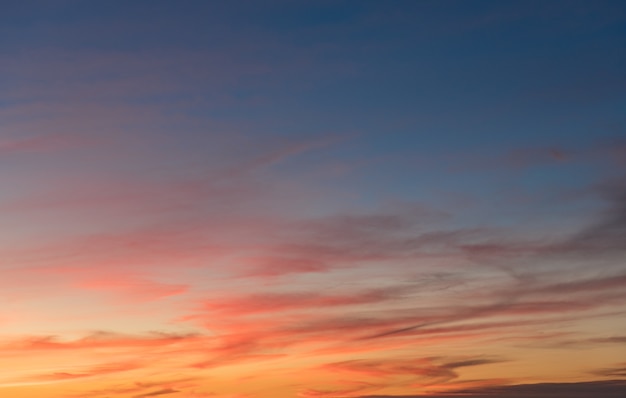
[413, 83]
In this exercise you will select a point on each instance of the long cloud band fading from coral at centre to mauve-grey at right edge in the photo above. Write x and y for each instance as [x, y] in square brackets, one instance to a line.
[249, 328]
